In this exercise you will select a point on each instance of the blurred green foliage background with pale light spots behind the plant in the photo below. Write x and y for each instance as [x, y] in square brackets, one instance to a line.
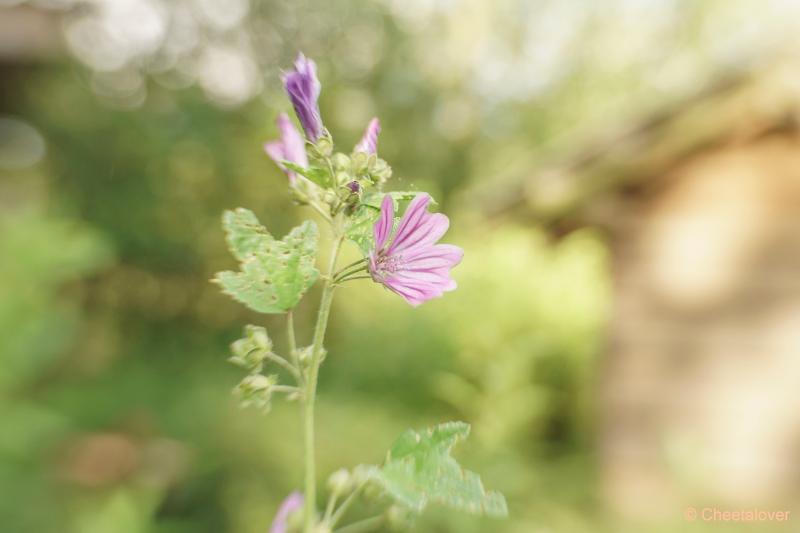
[127, 127]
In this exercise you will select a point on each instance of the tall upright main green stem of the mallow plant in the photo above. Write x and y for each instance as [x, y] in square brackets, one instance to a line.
[311, 387]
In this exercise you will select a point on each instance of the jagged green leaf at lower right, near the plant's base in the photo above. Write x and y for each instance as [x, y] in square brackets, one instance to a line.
[419, 470]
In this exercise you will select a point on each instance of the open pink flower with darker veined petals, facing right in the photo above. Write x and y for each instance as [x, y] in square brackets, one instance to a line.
[413, 265]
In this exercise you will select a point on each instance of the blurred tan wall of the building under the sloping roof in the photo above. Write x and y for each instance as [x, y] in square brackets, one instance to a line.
[701, 389]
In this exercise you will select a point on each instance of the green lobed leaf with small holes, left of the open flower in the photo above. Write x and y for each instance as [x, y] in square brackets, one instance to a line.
[274, 273]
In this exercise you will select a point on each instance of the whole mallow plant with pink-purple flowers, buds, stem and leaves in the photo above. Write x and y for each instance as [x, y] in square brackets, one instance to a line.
[400, 250]
